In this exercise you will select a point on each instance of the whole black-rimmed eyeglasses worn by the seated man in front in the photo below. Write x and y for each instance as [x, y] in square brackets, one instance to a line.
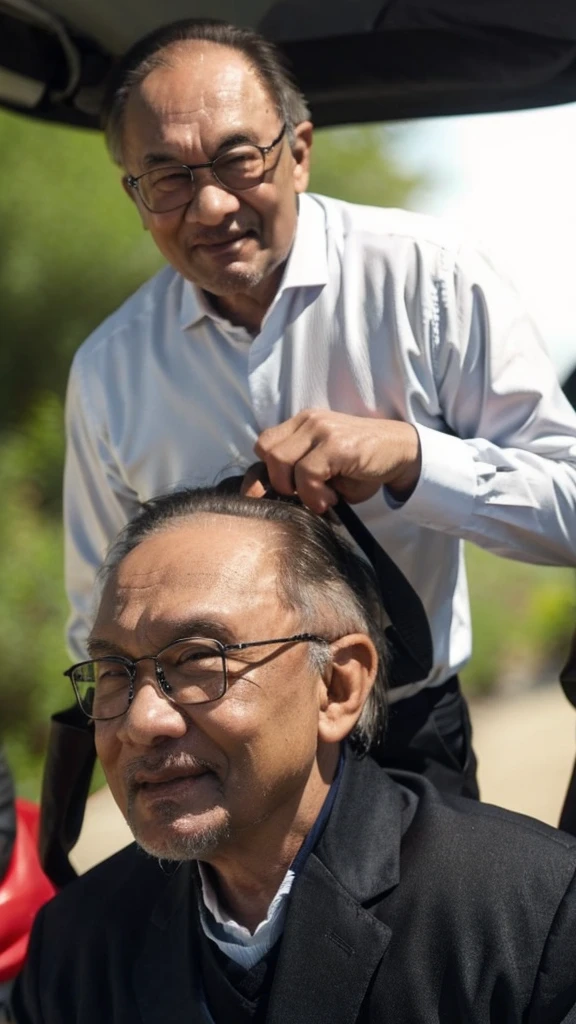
[192, 671]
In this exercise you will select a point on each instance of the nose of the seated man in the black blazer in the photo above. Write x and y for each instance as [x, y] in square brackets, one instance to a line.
[151, 718]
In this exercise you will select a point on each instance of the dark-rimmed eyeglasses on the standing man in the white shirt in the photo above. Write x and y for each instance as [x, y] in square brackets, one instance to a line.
[239, 169]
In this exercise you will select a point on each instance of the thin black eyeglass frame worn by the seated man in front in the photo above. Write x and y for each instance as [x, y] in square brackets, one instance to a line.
[161, 680]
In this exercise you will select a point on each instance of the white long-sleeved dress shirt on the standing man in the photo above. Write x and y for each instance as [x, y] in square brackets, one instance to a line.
[381, 314]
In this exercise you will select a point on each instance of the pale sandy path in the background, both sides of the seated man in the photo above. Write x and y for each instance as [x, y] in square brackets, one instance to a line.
[525, 745]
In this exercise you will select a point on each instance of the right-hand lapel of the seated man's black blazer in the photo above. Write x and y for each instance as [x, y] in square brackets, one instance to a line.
[333, 945]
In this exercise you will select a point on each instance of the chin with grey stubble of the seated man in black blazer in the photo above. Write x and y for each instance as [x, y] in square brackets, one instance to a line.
[185, 838]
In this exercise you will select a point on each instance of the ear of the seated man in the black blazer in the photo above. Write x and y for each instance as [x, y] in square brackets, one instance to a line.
[346, 687]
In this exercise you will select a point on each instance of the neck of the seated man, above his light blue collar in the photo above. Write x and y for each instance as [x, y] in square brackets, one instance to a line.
[249, 876]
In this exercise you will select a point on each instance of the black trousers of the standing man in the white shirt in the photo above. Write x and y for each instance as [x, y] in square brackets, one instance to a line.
[431, 734]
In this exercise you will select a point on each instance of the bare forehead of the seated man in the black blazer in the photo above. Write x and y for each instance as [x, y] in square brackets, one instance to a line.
[211, 569]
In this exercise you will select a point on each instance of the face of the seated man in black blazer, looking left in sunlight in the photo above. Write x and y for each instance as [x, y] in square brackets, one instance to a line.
[210, 778]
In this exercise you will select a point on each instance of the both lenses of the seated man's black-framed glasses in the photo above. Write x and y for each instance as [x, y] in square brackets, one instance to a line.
[192, 672]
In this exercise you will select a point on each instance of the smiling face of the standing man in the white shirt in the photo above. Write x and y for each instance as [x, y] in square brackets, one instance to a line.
[190, 112]
